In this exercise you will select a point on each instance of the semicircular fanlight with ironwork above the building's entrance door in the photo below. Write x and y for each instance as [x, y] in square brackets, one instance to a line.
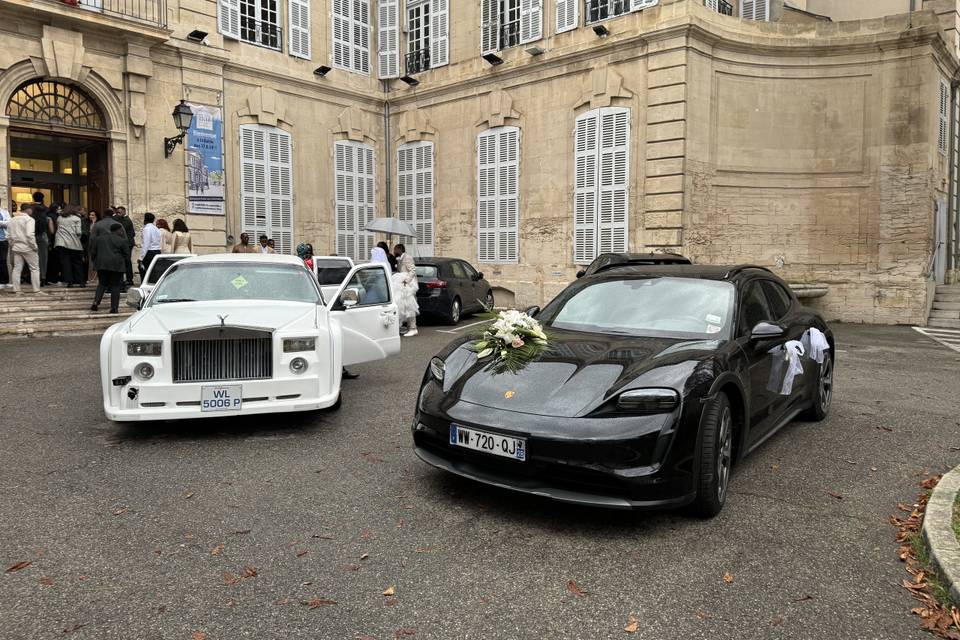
[54, 103]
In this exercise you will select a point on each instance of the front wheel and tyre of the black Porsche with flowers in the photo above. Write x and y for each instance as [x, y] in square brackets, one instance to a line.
[716, 457]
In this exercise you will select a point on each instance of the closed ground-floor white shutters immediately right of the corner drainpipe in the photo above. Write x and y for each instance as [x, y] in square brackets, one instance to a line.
[415, 192]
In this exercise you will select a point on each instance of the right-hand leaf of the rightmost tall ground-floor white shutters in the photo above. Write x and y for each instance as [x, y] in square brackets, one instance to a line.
[614, 178]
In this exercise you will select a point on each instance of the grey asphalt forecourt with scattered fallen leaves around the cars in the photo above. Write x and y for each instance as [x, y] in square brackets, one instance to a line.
[144, 531]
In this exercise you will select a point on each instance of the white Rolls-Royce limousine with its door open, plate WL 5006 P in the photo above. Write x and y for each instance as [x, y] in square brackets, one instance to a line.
[238, 334]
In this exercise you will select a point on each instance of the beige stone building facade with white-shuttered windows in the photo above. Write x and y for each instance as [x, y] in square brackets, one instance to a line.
[524, 138]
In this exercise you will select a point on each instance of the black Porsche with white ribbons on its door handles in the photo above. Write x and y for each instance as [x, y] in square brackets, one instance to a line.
[658, 378]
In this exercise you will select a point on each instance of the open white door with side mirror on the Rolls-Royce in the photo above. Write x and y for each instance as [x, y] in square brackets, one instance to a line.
[367, 313]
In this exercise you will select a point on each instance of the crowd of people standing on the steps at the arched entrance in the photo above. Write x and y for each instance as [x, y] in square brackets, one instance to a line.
[65, 245]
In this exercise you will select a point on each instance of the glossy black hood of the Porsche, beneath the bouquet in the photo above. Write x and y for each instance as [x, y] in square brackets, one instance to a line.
[580, 372]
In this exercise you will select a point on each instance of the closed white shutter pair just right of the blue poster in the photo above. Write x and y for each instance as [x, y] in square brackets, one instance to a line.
[266, 184]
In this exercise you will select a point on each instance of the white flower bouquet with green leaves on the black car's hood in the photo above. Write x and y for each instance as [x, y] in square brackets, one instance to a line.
[513, 340]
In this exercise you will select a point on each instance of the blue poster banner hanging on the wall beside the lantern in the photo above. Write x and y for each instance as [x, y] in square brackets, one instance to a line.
[204, 152]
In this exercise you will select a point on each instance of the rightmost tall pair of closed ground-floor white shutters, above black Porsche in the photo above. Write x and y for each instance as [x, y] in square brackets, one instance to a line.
[601, 178]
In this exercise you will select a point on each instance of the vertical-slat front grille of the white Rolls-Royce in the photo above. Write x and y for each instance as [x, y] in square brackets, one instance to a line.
[221, 360]
